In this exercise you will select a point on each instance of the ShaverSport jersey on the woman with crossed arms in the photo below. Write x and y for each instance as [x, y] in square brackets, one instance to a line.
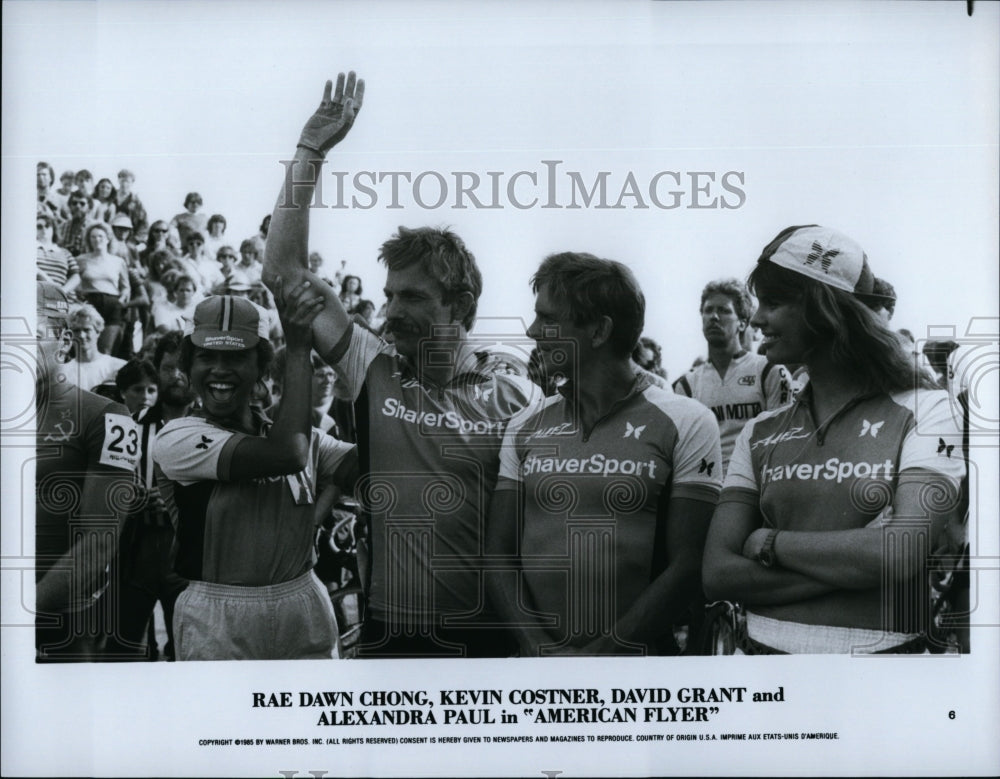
[840, 476]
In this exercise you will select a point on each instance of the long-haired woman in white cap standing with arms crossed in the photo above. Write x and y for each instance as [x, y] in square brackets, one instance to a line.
[832, 505]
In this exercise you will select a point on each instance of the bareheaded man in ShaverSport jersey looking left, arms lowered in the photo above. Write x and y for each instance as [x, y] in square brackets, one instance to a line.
[606, 491]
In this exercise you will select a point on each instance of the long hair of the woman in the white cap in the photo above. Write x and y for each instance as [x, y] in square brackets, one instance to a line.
[843, 329]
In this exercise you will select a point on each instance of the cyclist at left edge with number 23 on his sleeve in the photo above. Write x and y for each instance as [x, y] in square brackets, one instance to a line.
[87, 452]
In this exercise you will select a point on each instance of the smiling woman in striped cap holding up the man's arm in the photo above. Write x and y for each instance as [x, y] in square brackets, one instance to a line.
[242, 491]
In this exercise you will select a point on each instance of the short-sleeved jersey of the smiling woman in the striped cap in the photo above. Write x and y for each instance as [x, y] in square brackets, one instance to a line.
[253, 532]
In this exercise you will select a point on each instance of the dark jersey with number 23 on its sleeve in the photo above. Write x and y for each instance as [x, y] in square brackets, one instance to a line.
[81, 436]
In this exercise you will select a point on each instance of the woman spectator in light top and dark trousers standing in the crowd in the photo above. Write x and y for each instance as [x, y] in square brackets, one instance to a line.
[105, 284]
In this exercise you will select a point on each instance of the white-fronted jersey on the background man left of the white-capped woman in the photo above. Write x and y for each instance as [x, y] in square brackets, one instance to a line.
[751, 385]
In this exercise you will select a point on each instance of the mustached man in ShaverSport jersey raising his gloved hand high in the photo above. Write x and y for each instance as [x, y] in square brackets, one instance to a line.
[431, 412]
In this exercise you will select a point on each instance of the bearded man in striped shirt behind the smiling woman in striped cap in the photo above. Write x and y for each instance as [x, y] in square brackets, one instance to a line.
[145, 562]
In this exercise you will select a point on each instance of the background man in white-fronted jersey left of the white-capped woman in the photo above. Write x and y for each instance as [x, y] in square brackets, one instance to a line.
[734, 383]
